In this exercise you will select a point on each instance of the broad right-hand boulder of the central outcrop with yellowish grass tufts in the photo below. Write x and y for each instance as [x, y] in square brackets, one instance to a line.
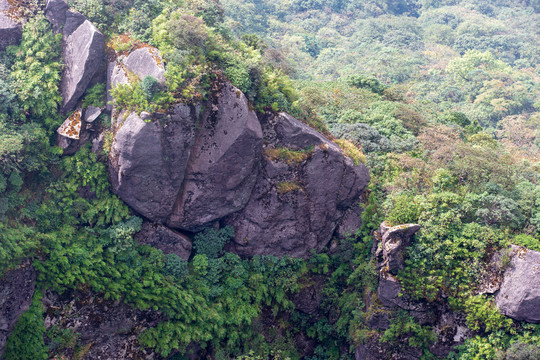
[296, 205]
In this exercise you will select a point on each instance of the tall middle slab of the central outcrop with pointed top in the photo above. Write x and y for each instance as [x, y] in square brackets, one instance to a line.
[223, 166]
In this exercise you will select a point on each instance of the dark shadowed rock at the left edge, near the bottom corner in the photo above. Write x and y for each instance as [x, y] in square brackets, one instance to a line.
[16, 292]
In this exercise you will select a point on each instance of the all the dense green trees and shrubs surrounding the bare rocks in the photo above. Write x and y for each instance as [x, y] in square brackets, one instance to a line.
[439, 98]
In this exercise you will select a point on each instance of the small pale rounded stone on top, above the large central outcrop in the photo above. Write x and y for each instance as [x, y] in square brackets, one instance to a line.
[145, 62]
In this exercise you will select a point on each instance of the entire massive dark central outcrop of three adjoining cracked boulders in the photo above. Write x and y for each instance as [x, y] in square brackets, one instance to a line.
[220, 162]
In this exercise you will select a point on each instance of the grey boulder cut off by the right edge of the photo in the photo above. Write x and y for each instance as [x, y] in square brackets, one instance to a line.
[519, 295]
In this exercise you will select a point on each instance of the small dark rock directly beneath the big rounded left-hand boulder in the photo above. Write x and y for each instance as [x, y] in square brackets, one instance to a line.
[164, 239]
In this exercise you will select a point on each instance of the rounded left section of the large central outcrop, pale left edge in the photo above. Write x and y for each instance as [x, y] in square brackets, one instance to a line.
[148, 161]
